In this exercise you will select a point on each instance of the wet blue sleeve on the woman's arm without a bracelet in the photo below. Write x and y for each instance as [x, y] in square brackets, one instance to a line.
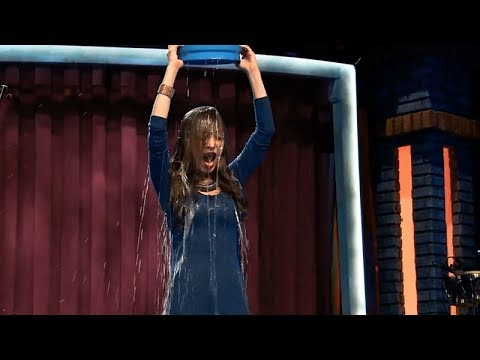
[255, 148]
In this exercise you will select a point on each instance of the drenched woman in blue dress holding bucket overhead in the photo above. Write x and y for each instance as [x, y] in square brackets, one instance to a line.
[202, 198]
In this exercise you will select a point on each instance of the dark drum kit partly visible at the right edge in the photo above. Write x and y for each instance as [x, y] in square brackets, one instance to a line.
[463, 289]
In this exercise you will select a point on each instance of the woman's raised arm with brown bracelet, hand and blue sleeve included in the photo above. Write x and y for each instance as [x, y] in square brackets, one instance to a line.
[158, 154]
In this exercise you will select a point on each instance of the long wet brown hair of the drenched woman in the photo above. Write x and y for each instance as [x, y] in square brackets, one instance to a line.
[196, 127]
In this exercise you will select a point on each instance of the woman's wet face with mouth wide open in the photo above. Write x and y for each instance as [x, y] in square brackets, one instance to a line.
[208, 152]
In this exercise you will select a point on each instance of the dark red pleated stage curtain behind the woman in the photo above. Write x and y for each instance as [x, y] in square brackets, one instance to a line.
[80, 231]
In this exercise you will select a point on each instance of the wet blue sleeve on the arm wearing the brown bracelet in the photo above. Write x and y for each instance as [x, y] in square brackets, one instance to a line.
[159, 158]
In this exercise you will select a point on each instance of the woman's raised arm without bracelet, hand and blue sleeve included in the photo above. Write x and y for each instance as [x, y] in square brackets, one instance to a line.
[254, 150]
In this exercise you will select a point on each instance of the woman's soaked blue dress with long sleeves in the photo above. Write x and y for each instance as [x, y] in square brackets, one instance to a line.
[206, 277]
